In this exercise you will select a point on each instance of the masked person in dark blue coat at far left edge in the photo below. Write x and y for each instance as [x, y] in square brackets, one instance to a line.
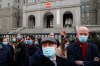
[5, 54]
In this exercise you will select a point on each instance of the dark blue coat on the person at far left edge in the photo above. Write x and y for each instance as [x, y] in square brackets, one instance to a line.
[5, 56]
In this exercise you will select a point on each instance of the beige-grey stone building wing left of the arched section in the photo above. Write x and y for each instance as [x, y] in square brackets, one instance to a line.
[10, 15]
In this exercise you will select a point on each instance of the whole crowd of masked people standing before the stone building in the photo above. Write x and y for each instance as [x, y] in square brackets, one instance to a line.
[36, 51]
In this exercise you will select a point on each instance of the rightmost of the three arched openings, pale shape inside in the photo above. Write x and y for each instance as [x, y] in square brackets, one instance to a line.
[67, 19]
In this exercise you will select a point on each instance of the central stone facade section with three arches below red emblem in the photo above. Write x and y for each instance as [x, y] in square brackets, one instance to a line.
[38, 18]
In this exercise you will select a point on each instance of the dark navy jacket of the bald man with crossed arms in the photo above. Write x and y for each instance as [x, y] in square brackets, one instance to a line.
[74, 53]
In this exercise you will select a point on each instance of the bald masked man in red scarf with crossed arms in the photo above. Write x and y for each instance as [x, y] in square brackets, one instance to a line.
[81, 52]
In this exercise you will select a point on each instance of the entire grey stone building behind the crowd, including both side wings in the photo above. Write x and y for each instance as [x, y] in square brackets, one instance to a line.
[45, 16]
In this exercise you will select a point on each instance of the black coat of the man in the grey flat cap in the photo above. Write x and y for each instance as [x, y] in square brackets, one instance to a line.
[43, 61]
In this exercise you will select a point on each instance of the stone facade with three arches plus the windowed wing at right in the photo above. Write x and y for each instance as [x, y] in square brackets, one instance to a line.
[65, 15]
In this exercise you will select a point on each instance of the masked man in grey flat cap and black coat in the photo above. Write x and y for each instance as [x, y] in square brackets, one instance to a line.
[49, 57]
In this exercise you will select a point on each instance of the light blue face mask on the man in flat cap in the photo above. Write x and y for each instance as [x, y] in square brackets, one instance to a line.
[49, 52]
